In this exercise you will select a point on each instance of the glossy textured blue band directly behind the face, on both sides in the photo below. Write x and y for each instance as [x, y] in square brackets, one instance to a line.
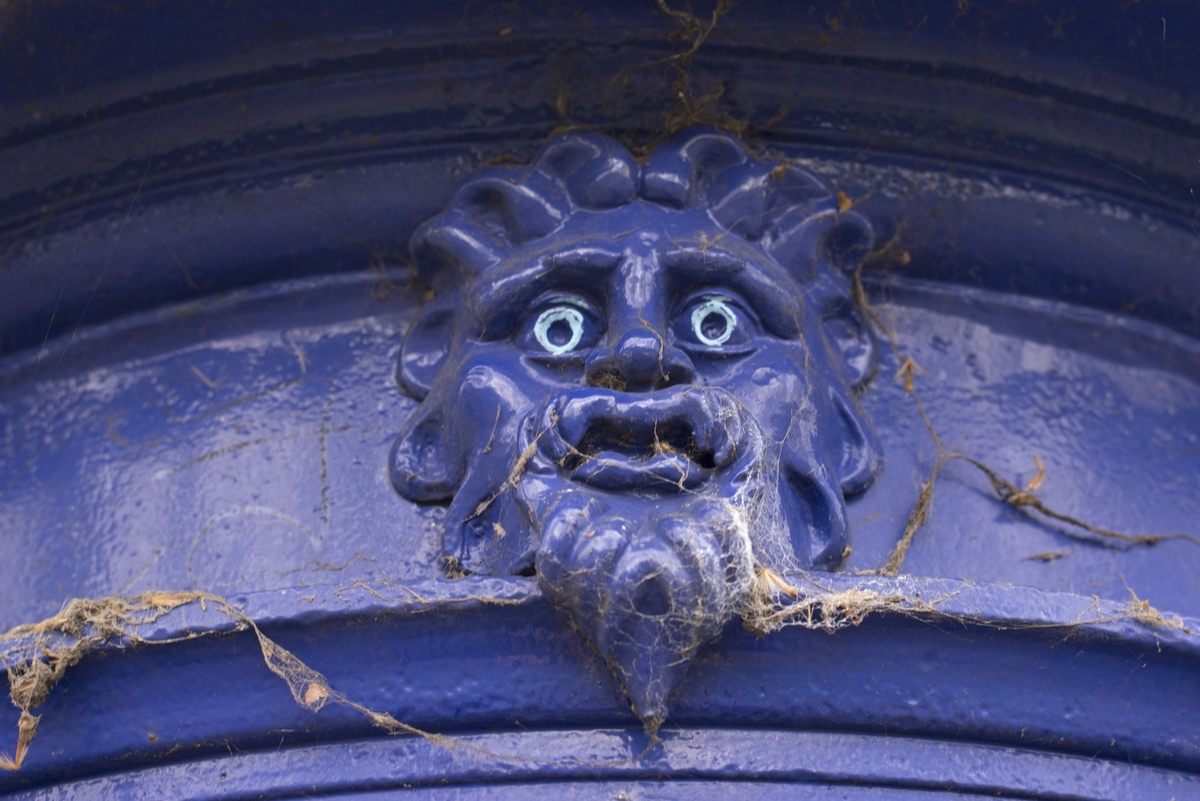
[128, 460]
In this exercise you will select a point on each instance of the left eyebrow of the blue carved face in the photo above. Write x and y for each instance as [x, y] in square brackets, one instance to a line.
[517, 290]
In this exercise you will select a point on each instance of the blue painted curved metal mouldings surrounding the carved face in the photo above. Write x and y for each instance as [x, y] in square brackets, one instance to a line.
[206, 215]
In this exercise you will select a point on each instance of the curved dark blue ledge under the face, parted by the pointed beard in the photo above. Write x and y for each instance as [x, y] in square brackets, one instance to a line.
[980, 664]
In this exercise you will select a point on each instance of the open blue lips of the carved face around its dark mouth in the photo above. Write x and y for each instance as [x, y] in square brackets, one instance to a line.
[671, 441]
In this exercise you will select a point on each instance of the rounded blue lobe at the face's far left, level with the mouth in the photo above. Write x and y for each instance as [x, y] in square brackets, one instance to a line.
[422, 462]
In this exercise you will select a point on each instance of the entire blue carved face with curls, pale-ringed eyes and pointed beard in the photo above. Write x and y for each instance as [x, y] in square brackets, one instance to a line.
[638, 384]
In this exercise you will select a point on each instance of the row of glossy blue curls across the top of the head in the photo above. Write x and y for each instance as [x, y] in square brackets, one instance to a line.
[789, 213]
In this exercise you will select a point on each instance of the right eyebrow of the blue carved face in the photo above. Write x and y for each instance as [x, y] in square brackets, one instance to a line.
[759, 284]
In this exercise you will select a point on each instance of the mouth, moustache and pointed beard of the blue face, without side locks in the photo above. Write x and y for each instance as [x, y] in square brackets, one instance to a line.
[649, 511]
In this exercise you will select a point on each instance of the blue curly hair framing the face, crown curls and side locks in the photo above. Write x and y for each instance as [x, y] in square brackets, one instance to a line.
[502, 219]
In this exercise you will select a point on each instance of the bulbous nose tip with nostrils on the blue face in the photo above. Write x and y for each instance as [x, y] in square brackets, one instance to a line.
[641, 362]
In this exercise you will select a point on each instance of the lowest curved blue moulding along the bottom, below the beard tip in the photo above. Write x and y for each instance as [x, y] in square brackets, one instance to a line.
[608, 762]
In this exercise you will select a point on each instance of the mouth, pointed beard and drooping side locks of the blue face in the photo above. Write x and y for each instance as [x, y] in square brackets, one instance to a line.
[645, 519]
